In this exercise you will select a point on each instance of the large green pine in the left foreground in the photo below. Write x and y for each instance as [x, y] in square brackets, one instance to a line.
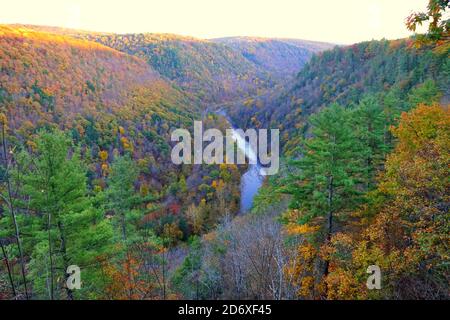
[56, 188]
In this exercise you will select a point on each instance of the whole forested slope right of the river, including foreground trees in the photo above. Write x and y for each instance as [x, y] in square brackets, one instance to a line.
[364, 179]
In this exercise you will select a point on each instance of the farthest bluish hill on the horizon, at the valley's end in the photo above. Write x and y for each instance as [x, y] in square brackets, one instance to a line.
[281, 57]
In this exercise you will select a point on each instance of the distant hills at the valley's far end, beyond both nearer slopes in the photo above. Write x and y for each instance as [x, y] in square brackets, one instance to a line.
[215, 71]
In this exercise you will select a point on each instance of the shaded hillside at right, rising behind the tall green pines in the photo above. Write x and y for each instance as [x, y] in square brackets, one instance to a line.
[344, 75]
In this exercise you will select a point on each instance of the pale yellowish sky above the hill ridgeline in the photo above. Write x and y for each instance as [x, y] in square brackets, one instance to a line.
[337, 21]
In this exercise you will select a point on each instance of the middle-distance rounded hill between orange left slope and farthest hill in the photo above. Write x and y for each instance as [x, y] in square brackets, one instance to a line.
[213, 72]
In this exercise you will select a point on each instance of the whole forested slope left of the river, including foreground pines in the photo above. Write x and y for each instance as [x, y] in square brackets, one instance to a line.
[86, 169]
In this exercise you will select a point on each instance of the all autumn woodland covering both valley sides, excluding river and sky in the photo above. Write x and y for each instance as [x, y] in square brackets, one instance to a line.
[86, 175]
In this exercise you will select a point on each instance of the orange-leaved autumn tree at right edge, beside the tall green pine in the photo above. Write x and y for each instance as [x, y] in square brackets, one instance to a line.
[406, 234]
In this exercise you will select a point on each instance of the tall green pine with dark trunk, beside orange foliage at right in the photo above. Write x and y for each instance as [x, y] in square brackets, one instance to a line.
[328, 173]
